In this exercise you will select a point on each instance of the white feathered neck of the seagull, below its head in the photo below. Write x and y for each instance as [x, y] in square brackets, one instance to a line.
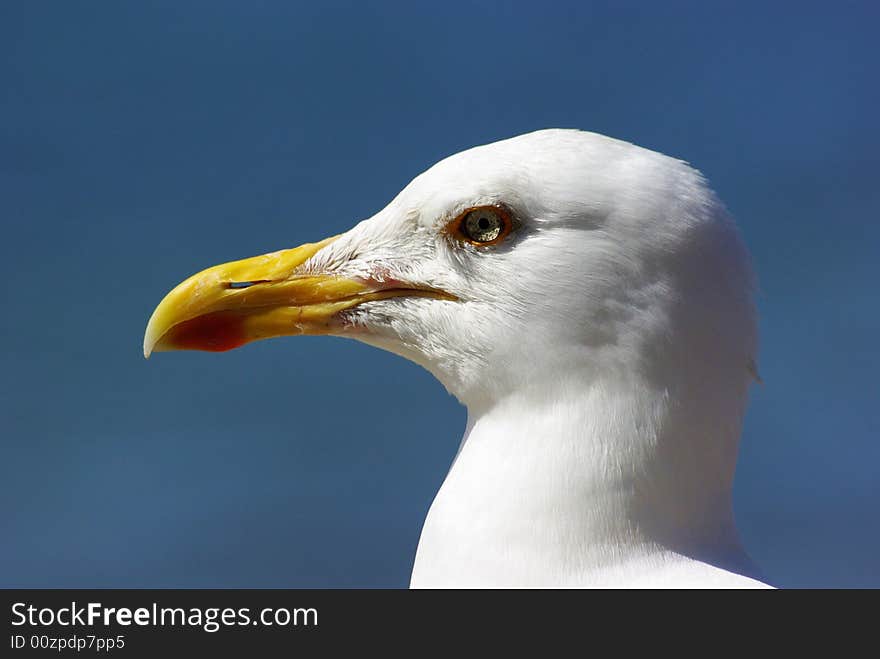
[569, 483]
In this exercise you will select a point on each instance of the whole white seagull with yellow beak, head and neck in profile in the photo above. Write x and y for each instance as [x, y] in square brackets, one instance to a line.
[590, 302]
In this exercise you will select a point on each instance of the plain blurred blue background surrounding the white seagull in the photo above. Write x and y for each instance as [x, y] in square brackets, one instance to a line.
[140, 142]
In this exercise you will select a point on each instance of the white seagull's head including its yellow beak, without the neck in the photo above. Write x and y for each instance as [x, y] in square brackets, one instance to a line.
[555, 255]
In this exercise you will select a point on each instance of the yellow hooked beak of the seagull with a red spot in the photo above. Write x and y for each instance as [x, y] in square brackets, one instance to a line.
[228, 305]
